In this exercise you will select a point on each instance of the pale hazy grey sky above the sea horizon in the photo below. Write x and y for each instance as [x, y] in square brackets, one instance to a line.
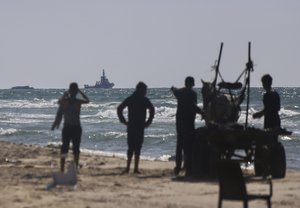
[50, 43]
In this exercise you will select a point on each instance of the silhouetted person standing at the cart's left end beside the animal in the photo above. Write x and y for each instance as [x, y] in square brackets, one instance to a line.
[185, 124]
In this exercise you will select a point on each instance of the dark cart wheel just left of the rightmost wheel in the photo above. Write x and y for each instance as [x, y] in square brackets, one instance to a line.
[262, 161]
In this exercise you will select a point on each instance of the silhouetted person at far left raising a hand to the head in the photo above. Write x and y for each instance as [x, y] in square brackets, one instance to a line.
[69, 109]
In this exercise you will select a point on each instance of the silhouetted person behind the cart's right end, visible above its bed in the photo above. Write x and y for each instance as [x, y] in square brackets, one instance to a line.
[271, 102]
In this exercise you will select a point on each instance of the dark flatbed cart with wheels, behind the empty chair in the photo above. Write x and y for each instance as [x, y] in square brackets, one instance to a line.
[261, 148]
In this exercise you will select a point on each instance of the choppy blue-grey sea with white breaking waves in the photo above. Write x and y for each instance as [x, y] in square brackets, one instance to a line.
[26, 117]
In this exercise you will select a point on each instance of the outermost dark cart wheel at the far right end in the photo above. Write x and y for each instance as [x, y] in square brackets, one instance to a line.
[278, 163]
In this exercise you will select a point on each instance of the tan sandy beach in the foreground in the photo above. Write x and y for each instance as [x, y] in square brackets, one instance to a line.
[25, 171]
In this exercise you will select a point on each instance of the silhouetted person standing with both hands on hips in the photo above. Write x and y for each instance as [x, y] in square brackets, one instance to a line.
[137, 105]
